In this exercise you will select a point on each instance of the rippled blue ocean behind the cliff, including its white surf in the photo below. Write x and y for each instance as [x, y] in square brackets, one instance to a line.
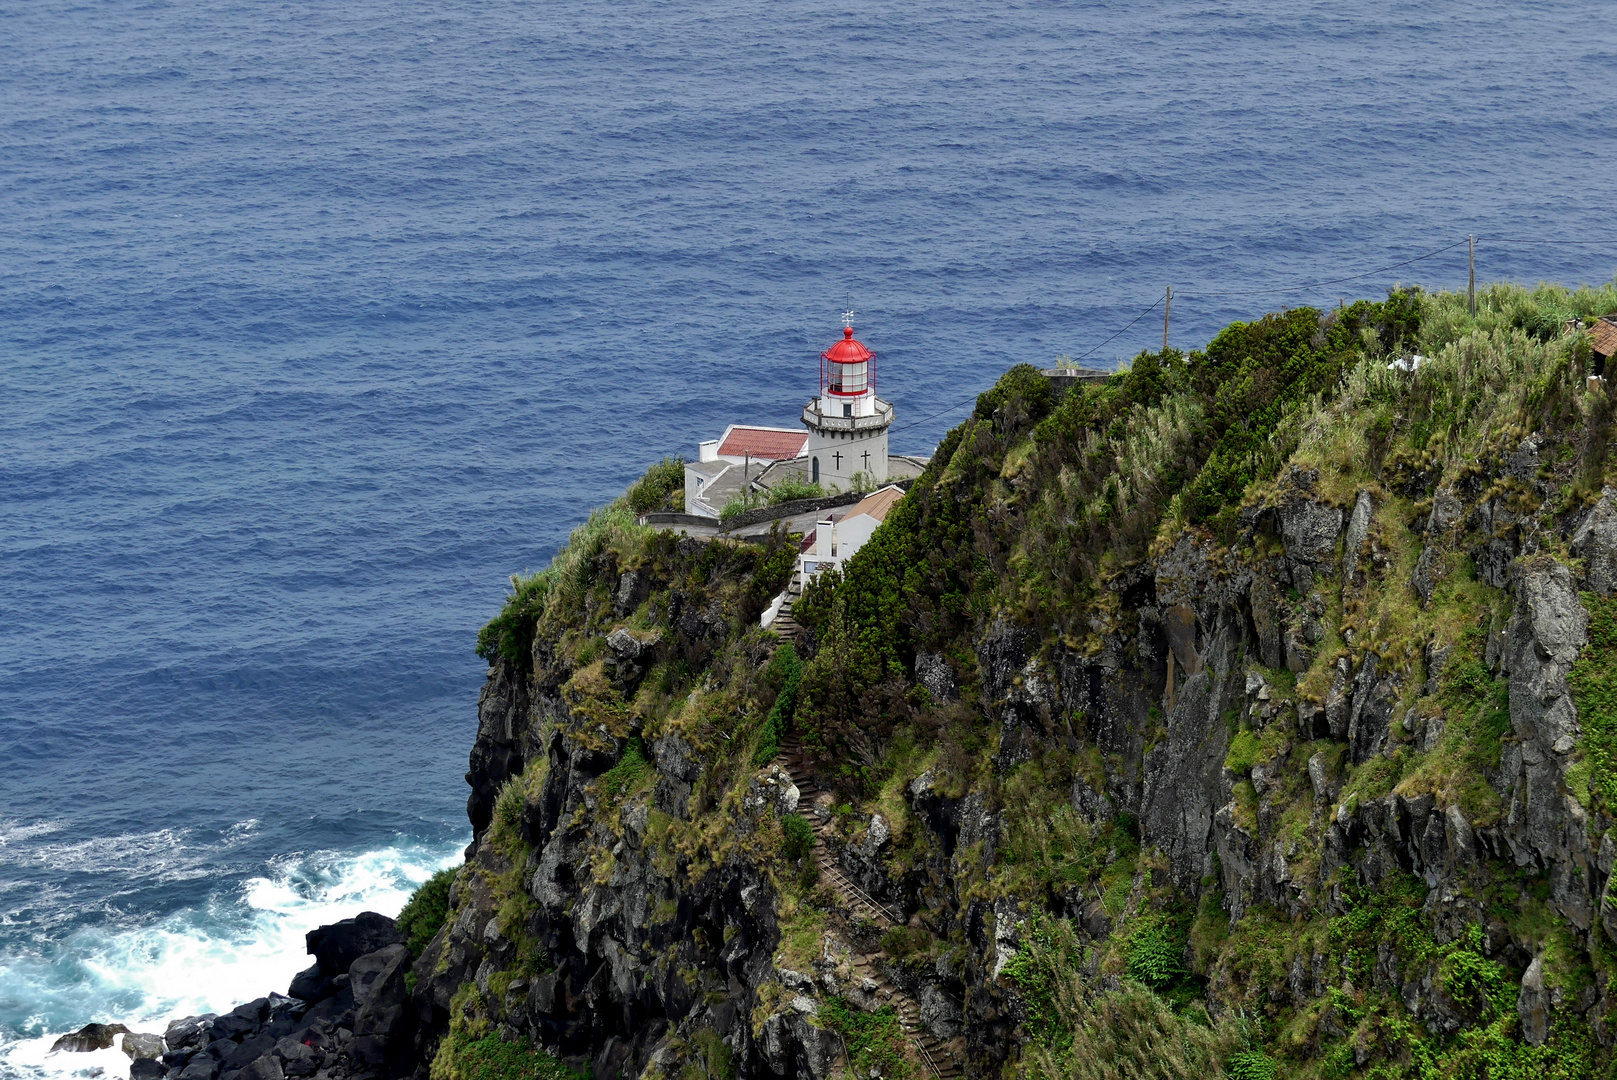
[321, 319]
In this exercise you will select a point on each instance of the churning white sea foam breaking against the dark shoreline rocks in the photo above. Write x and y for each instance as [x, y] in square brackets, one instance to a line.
[208, 960]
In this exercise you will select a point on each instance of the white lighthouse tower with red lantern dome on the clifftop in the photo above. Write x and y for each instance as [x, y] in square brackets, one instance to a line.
[848, 423]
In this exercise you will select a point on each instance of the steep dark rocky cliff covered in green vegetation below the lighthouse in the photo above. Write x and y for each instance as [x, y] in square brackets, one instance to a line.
[1301, 775]
